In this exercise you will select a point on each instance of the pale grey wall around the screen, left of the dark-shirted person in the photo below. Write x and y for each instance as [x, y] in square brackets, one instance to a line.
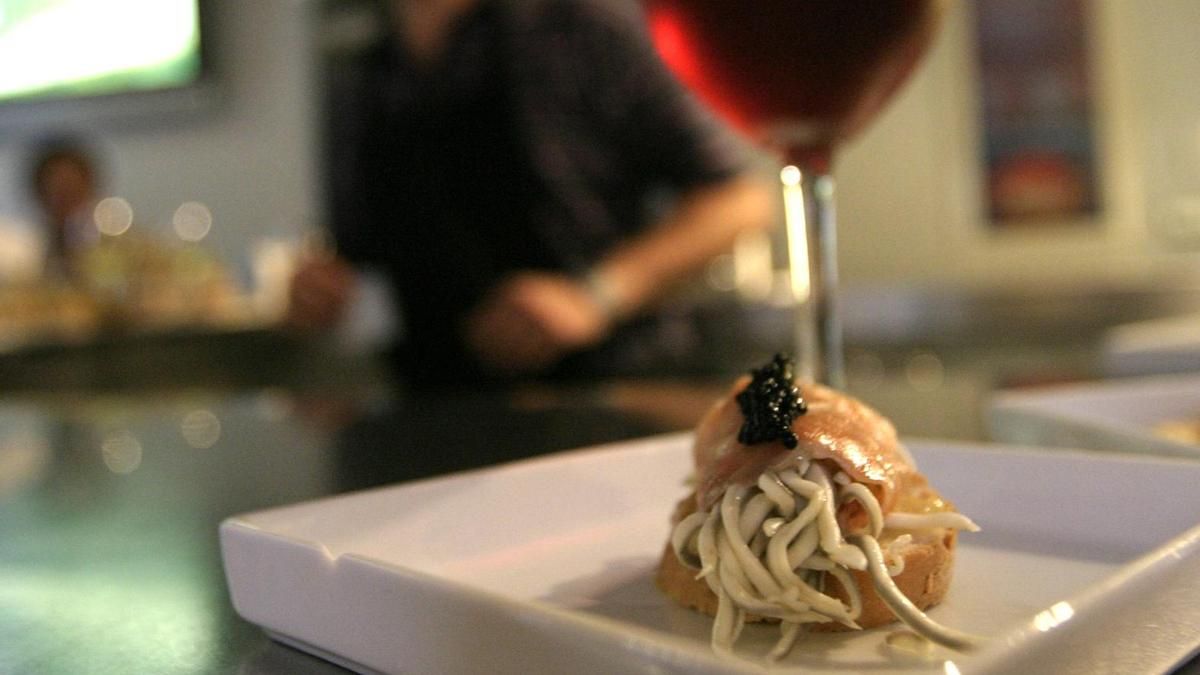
[249, 153]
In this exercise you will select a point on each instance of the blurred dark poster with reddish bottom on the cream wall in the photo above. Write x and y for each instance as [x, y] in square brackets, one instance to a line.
[1037, 89]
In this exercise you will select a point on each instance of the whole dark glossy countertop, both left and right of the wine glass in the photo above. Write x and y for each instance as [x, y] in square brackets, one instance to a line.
[111, 497]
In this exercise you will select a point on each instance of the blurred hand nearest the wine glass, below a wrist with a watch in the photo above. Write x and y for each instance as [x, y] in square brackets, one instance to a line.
[533, 320]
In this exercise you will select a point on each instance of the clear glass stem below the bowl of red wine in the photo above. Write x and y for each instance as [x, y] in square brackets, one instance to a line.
[813, 252]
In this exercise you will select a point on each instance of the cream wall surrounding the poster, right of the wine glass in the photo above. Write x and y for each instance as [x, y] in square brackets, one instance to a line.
[910, 190]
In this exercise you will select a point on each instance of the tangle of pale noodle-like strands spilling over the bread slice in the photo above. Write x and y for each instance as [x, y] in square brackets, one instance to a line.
[766, 549]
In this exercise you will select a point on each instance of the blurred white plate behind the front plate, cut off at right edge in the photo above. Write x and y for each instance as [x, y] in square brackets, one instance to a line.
[1112, 415]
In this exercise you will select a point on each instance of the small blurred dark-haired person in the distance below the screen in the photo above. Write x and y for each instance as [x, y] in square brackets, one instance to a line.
[64, 182]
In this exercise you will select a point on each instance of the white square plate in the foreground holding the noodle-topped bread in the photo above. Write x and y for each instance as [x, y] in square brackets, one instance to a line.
[547, 566]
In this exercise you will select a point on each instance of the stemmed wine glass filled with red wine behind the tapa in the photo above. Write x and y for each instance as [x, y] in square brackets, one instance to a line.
[800, 77]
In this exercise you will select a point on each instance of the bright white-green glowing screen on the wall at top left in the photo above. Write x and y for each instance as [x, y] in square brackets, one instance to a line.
[56, 49]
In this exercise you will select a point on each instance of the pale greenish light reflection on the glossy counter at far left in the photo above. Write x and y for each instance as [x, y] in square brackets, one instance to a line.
[109, 506]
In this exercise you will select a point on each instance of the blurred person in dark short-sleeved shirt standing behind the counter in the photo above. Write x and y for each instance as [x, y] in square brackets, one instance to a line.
[532, 180]
